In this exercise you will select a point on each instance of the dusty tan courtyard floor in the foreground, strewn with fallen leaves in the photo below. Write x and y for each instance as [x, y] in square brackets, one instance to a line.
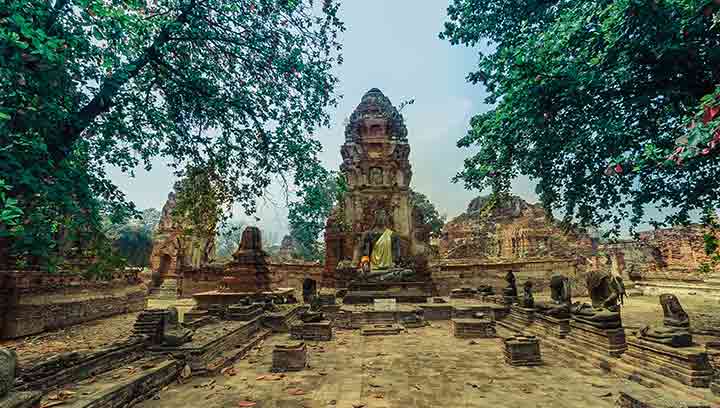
[424, 367]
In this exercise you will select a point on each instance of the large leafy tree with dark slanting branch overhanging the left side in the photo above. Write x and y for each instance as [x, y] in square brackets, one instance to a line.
[230, 87]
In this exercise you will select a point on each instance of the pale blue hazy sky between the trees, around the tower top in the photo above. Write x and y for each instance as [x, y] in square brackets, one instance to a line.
[394, 46]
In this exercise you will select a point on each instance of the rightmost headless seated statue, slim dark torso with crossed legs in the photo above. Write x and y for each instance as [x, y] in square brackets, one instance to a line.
[675, 331]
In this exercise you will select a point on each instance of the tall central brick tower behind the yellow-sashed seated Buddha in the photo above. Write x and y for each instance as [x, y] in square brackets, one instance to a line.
[375, 163]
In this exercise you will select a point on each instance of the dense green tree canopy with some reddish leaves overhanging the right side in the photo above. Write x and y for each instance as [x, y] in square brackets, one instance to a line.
[611, 105]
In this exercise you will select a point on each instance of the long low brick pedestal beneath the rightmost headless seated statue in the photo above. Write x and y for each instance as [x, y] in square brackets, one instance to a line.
[689, 365]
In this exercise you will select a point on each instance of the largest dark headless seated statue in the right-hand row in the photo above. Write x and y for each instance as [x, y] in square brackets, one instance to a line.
[606, 295]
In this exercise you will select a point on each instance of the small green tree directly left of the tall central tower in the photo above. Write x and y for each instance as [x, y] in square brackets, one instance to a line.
[308, 215]
